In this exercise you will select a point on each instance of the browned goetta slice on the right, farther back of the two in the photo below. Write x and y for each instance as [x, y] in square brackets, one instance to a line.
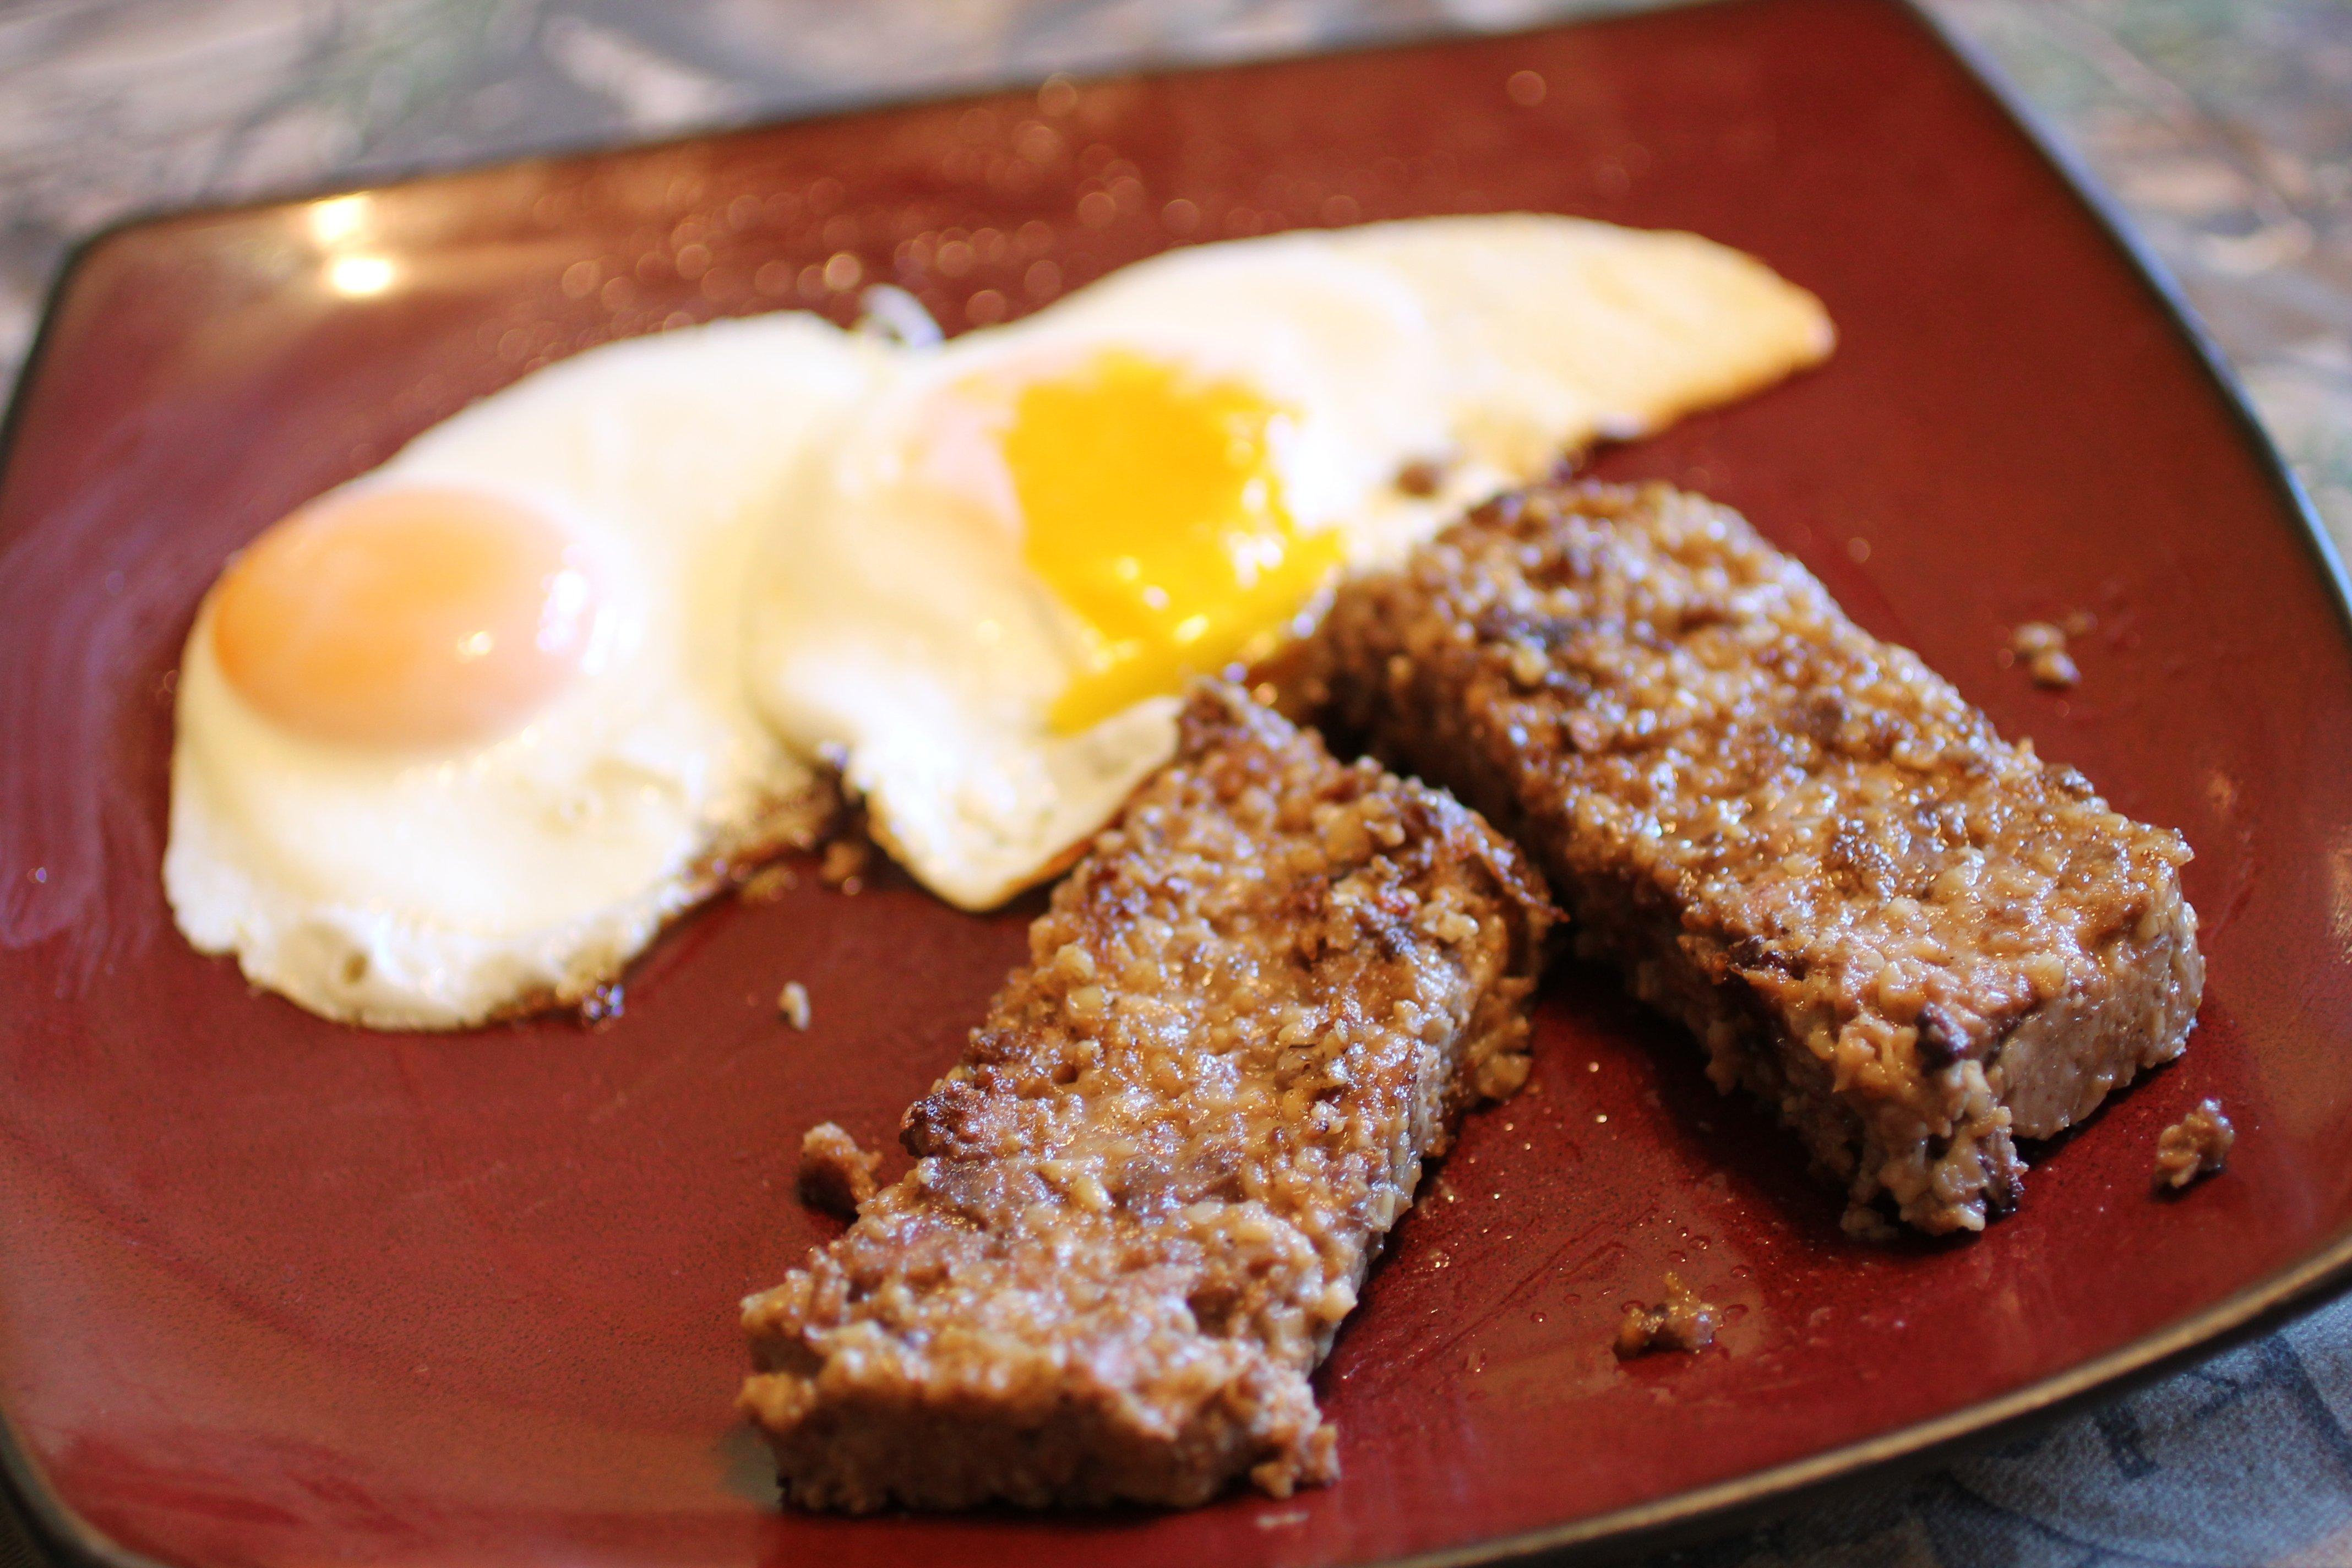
[1909, 937]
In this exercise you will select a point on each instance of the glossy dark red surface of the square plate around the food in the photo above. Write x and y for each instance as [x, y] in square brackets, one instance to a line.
[279, 1294]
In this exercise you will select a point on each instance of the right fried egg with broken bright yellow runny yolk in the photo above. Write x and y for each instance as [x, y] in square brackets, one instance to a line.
[991, 587]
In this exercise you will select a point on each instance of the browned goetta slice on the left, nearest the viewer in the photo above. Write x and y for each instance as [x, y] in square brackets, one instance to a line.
[1151, 1191]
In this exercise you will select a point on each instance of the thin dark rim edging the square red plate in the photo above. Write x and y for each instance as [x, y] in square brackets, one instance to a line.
[1704, 1513]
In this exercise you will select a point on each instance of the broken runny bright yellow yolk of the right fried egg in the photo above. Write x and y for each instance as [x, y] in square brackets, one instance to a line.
[1154, 509]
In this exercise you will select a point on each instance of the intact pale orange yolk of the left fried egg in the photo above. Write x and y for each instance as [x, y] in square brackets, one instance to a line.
[415, 617]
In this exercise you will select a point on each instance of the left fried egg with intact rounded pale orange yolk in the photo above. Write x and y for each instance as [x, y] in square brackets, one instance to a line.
[460, 737]
